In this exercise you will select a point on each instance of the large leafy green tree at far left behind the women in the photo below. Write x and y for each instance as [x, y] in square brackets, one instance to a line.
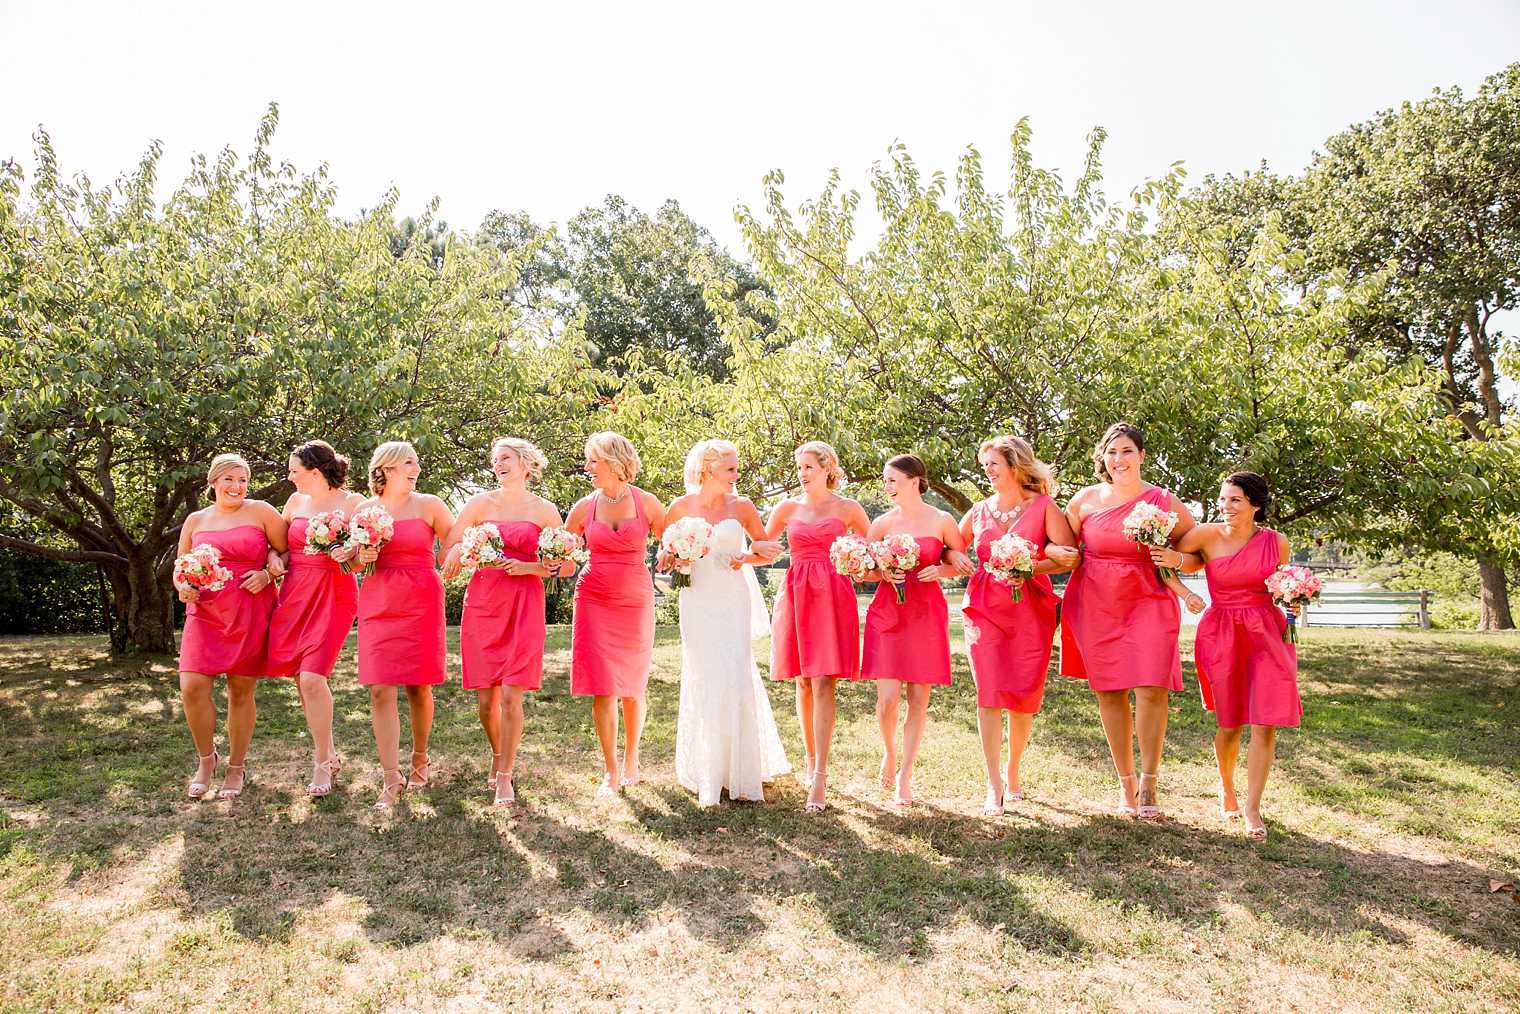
[138, 341]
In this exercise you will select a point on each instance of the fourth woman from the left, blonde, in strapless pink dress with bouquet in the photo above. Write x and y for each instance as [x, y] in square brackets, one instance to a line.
[502, 630]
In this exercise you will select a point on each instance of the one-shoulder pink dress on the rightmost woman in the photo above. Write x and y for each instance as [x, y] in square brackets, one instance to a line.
[1247, 673]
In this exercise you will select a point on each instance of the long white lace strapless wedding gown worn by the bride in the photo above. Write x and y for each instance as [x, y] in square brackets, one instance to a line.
[726, 737]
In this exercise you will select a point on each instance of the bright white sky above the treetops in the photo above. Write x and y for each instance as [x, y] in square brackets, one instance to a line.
[549, 107]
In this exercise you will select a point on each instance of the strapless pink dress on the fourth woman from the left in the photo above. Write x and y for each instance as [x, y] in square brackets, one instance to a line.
[502, 629]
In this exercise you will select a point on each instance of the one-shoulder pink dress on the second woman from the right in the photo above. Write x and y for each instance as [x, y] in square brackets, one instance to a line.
[1119, 624]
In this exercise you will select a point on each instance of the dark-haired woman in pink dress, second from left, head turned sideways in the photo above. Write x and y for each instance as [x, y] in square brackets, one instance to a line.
[318, 601]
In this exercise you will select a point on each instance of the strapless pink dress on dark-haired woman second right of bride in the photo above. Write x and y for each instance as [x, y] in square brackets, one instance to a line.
[910, 641]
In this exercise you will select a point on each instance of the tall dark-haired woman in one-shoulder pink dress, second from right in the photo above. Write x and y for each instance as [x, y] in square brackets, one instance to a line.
[1121, 623]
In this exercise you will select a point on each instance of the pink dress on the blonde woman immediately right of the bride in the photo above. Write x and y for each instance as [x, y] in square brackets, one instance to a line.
[817, 626]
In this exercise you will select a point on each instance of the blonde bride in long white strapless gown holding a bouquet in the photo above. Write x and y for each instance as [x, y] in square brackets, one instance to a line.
[726, 737]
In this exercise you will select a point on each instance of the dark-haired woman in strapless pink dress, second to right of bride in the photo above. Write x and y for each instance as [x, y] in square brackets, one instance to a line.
[908, 644]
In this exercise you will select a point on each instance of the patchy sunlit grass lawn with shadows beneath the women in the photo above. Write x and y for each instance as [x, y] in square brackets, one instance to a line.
[1392, 811]
